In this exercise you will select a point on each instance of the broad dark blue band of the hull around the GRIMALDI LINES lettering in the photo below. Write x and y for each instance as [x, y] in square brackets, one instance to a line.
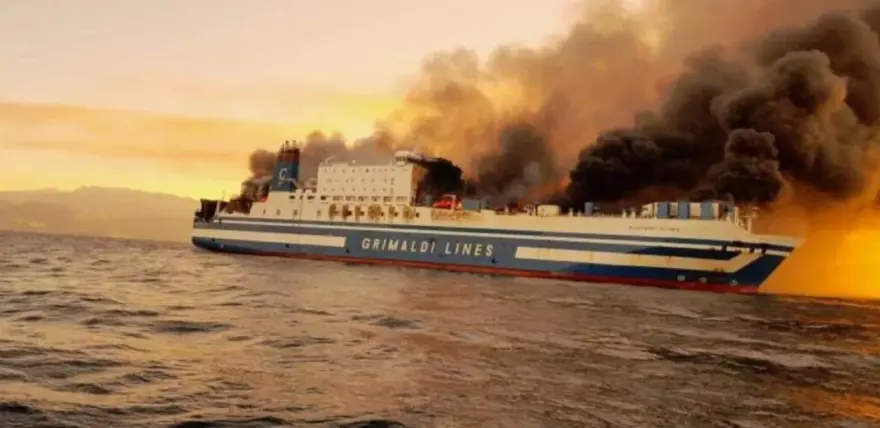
[441, 251]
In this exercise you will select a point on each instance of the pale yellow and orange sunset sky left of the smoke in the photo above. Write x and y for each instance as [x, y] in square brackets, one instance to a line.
[171, 95]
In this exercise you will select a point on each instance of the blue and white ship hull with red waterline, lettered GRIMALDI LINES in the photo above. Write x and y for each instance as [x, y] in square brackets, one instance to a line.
[703, 265]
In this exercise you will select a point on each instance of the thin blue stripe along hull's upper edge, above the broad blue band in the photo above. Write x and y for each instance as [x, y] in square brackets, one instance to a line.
[472, 230]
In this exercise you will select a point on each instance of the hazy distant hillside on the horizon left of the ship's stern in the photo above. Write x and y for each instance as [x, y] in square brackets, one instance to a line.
[98, 211]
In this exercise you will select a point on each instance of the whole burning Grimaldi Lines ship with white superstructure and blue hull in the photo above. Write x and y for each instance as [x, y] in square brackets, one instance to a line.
[372, 213]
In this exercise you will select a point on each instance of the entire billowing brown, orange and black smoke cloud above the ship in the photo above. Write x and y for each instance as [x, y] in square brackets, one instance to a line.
[682, 98]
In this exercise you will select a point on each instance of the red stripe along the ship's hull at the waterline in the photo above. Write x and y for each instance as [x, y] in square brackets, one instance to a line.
[683, 285]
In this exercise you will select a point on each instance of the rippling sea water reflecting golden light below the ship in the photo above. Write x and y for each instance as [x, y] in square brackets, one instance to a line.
[98, 332]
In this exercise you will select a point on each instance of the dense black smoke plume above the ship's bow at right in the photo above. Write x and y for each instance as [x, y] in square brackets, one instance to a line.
[805, 107]
